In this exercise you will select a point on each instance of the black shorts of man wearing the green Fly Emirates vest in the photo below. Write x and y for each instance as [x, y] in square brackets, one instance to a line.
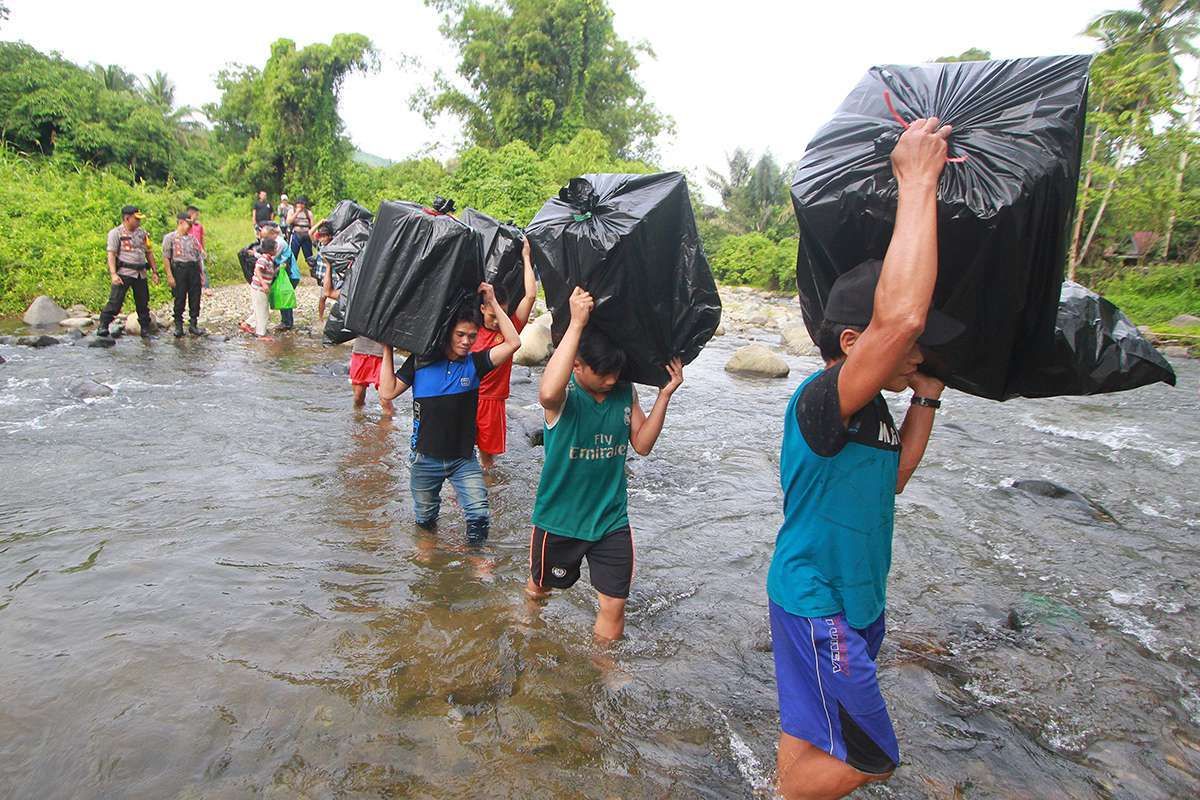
[555, 561]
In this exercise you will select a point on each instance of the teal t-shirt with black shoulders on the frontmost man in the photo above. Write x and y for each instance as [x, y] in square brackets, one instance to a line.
[835, 550]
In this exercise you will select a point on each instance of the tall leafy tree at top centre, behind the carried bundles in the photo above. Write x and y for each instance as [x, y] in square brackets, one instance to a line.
[542, 71]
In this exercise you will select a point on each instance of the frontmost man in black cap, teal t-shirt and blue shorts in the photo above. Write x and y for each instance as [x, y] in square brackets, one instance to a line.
[842, 466]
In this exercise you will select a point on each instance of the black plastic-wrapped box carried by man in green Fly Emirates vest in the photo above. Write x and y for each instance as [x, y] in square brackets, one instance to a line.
[632, 242]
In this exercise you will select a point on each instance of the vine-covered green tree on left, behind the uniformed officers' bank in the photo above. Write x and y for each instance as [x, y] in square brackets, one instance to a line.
[281, 124]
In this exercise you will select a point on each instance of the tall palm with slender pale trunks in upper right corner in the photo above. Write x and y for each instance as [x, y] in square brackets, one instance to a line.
[1154, 37]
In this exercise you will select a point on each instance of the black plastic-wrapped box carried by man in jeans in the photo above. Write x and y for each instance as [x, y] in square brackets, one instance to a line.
[417, 269]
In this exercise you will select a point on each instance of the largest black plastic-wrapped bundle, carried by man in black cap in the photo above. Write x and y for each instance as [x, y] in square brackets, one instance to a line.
[1004, 214]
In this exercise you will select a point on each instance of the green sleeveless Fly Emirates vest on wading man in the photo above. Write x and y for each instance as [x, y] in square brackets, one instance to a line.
[583, 490]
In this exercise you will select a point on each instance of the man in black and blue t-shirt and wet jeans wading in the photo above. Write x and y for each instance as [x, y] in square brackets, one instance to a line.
[446, 398]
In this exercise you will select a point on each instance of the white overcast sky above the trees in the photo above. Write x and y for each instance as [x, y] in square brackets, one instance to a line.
[759, 75]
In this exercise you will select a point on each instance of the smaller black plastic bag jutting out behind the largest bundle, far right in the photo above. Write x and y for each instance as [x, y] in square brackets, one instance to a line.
[1096, 351]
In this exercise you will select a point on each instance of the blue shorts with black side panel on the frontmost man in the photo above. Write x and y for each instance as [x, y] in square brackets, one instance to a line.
[829, 694]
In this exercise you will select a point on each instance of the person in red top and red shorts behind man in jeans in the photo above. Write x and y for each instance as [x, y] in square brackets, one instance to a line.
[491, 420]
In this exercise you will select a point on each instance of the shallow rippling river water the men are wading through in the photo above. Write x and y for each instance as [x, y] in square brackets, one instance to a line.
[212, 587]
